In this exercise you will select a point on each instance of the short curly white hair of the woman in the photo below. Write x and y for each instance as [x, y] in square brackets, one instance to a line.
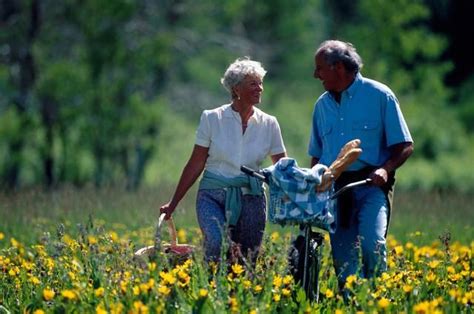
[239, 69]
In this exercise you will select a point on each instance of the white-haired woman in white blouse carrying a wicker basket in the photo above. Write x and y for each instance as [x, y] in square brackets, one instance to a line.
[235, 134]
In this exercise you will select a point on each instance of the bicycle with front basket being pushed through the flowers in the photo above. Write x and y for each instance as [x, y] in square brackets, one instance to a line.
[306, 250]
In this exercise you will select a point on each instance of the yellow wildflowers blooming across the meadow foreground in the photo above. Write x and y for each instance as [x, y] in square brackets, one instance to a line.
[89, 268]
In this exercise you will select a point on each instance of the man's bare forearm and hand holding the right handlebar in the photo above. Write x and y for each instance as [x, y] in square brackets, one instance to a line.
[399, 154]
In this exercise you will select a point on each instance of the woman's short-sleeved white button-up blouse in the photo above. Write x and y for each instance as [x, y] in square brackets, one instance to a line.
[220, 129]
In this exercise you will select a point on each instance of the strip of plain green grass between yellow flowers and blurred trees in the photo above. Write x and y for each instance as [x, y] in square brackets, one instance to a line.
[419, 216]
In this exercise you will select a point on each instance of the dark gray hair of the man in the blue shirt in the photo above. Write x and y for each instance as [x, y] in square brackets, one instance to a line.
[335, 51]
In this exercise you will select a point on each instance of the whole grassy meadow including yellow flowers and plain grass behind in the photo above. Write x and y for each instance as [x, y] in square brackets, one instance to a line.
[72, 251]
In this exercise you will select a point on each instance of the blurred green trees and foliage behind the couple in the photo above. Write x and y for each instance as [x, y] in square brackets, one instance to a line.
[109, 93]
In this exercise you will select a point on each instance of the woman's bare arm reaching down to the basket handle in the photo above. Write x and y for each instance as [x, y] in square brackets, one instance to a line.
[190, 174]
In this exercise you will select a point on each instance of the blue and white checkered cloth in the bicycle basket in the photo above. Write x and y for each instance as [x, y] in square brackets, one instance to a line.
[293, 197]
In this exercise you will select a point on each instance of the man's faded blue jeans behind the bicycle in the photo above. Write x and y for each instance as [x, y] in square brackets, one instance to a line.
[360, 248]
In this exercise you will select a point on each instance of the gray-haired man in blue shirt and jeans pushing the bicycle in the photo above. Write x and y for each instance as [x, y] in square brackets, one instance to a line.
[354, 107]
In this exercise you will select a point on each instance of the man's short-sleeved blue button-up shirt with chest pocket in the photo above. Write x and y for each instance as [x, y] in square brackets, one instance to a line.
[369, 111]
